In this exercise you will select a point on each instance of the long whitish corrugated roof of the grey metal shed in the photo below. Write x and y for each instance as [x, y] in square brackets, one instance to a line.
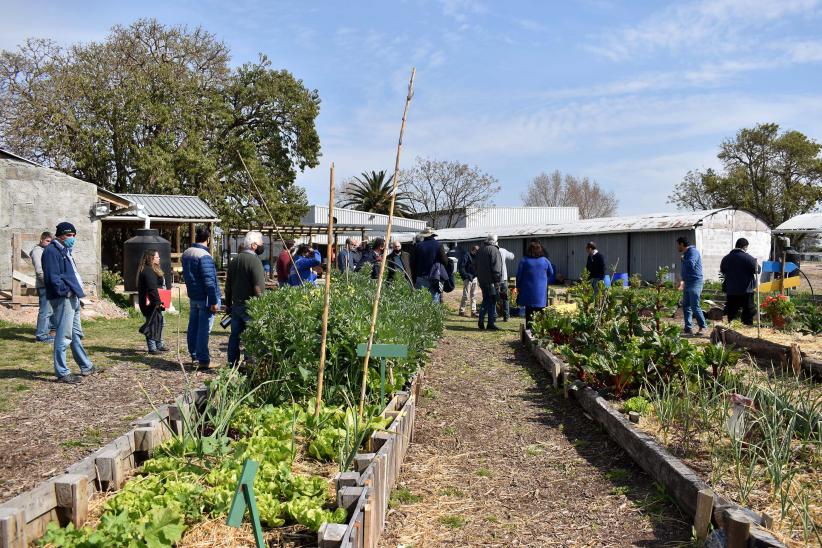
[635, 223]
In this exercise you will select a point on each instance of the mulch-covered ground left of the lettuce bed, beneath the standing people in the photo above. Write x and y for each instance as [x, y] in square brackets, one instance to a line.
[54, 425]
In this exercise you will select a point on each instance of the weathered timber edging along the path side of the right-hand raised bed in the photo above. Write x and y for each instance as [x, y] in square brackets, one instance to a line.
[681, 481]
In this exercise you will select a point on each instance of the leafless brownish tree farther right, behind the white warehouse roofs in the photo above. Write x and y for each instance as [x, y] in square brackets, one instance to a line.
[554, 190]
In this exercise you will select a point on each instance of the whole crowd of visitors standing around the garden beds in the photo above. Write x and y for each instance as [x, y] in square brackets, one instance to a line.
[426, 265]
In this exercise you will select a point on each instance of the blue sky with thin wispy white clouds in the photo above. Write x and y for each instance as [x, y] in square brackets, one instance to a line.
[632, 94]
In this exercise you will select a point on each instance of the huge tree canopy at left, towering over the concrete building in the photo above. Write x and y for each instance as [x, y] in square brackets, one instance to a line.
[156, 109]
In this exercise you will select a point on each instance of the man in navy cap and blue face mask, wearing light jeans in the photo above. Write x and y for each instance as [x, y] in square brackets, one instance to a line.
[64, 289]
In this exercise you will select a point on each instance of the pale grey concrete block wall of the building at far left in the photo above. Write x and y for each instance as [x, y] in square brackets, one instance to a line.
[34, 199]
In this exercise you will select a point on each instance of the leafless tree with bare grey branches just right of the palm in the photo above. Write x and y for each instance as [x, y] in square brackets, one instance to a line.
[439, 191]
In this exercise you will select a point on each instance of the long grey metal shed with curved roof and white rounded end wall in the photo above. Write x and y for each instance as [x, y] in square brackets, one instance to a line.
[636, 244]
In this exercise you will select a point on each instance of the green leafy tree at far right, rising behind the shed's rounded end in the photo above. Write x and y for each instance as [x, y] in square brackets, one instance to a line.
[775, 175]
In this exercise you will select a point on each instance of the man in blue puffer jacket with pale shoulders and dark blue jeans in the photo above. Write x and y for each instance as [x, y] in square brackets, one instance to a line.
[203, 289]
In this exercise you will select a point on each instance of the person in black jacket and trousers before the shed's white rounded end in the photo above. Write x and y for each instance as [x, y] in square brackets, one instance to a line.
[739, 282]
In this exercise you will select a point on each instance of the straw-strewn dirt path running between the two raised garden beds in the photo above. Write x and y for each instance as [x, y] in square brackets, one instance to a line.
[499, 460]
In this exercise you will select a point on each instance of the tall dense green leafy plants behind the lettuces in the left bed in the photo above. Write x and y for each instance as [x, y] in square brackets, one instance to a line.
[284, 337]
